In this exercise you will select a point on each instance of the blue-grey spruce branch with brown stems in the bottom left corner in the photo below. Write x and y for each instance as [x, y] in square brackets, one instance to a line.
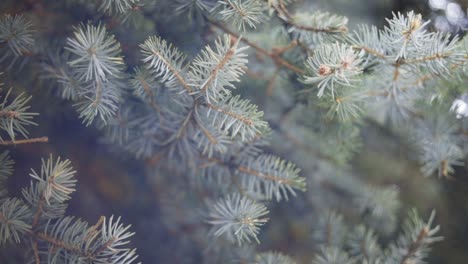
[56, 238]
